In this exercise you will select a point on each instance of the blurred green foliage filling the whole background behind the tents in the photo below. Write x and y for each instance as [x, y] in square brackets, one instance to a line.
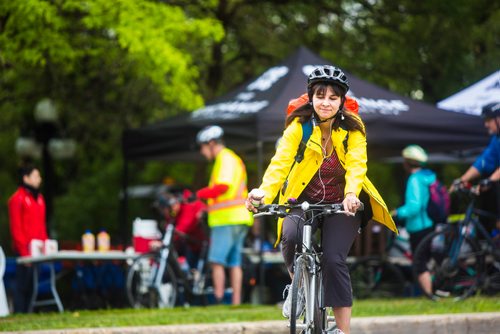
[112, 65]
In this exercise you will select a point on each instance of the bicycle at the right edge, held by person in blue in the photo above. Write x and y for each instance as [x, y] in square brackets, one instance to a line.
[459, 262]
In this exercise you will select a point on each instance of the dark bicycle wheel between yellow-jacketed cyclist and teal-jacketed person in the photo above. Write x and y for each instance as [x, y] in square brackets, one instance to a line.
[375, 277]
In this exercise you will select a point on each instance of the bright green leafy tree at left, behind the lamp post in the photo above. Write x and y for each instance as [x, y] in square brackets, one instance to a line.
[110, 66]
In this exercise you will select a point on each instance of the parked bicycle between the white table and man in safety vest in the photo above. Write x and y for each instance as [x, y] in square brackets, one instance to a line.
[157, 278]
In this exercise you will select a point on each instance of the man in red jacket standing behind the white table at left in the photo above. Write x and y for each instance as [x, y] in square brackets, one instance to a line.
[27, 222]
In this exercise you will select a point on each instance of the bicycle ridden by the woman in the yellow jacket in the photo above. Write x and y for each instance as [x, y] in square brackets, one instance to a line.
[307, 267]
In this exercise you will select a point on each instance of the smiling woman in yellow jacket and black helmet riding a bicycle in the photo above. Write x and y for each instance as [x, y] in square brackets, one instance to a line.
[333, 170]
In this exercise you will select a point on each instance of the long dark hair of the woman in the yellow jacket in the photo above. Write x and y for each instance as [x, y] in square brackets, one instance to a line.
[351, 122]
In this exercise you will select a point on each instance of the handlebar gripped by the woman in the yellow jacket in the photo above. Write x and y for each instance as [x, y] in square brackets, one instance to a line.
[282, 210]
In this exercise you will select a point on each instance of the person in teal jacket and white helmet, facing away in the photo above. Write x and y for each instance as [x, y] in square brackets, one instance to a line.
[413, 214]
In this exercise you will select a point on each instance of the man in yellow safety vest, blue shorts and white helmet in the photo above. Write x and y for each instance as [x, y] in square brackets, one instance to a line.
[228, 218]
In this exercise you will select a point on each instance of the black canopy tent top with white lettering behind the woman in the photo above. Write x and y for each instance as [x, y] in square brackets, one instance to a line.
[253, 114]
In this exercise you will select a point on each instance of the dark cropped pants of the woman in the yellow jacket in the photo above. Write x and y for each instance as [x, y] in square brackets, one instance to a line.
[338, 234]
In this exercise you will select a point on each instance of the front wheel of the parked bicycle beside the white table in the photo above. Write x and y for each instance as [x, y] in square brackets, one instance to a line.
[142, 291]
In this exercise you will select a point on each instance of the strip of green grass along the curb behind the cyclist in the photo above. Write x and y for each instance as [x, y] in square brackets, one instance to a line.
[217, 314]
